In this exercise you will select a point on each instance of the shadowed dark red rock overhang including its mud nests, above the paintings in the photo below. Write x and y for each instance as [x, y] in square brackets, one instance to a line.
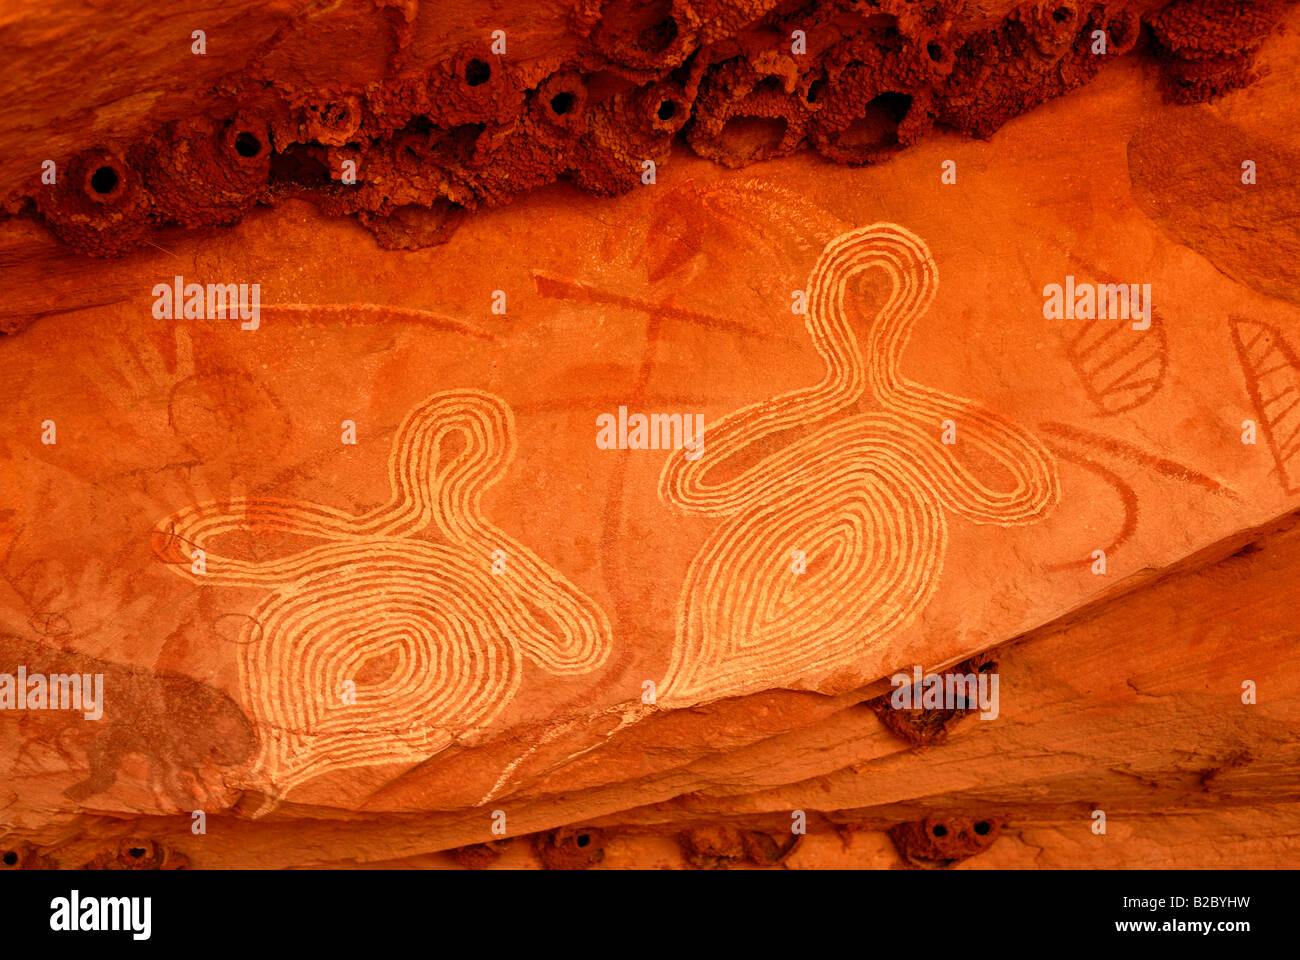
[408, 115]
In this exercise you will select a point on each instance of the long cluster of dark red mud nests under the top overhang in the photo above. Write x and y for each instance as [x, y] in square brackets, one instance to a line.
[740, 81]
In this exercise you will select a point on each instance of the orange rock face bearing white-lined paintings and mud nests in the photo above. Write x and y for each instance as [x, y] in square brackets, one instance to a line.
[592, 533]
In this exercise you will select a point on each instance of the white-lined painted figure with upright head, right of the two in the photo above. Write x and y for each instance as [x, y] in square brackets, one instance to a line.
[863, 496]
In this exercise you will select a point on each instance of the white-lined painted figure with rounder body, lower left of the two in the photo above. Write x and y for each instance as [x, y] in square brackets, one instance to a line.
[421, 608]
